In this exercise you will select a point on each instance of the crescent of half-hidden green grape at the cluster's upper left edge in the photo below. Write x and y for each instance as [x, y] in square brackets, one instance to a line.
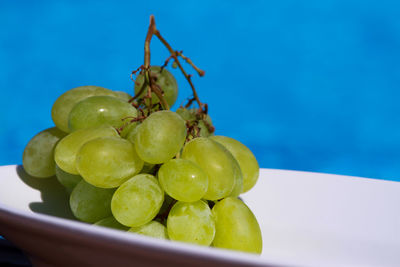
[64, 104]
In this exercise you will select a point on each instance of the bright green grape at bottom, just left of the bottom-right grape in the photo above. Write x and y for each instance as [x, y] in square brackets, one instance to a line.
[191, 222]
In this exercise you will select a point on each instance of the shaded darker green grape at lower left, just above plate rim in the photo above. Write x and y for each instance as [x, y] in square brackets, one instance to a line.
[89, 203]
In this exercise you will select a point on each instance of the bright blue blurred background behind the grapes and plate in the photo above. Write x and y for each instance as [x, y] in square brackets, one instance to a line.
[307, 85]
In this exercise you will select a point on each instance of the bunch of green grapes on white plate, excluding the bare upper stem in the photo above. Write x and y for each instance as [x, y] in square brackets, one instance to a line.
[154, 172]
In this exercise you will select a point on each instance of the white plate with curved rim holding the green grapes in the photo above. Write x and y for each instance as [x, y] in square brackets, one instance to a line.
[307, 219]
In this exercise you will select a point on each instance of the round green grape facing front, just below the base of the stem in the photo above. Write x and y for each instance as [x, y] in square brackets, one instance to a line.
[160, 137]
